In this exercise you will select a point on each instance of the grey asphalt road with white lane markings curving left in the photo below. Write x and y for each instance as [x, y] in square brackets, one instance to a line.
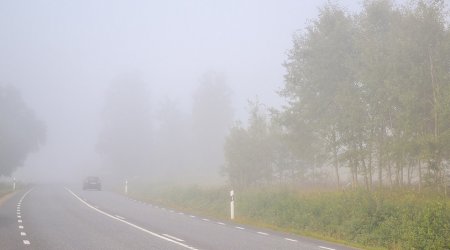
[58, 217]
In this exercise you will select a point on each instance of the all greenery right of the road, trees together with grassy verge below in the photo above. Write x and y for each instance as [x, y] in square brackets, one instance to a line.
[367, 111]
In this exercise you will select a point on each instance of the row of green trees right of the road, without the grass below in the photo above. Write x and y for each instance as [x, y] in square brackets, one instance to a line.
[367, 97]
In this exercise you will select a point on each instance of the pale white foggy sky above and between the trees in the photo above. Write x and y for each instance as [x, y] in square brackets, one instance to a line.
[62, 54]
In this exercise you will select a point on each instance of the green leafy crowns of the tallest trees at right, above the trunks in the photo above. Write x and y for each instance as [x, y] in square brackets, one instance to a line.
[372, 89]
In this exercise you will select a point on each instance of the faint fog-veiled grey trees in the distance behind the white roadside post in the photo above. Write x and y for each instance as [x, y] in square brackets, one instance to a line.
[163, 142]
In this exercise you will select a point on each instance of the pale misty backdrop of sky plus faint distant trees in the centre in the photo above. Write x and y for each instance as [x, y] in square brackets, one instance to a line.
[68, 57]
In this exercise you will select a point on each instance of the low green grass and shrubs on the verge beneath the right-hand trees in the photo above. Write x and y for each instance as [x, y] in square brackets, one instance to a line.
[381, 219]
